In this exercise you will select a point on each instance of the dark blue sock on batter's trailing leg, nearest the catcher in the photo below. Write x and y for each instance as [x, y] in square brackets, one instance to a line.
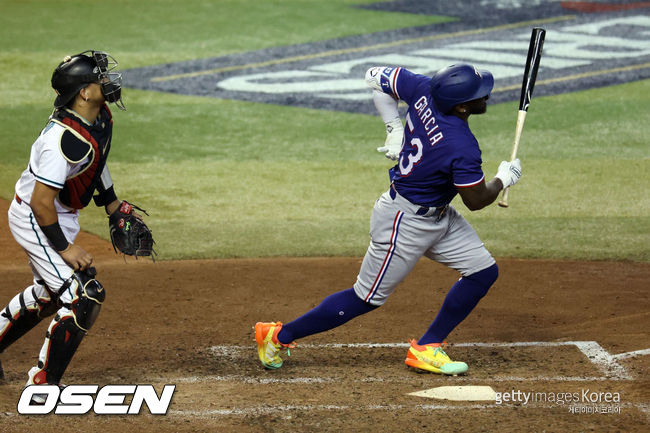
[334, 311]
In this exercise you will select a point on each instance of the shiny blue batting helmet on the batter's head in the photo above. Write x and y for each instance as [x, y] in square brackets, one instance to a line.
[459, 83]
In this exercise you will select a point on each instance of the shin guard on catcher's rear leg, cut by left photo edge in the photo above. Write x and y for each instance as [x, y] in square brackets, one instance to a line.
[25, 311]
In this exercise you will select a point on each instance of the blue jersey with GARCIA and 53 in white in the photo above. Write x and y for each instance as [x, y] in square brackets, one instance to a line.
[439, 153]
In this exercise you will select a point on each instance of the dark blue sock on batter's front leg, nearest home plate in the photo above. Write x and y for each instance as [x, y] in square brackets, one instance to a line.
[460, 301]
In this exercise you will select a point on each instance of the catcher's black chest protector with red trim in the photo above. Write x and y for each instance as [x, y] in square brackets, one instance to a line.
[77, 142]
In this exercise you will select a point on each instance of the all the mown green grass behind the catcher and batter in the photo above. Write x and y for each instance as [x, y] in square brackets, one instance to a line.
[237, 179]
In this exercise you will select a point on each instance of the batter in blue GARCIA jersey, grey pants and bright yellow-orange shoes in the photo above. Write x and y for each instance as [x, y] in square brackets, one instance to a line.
[437, 157]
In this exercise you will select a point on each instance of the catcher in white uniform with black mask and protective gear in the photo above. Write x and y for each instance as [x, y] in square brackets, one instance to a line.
[67, 168]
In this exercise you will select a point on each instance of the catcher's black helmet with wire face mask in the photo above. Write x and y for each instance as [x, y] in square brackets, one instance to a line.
[76, 72]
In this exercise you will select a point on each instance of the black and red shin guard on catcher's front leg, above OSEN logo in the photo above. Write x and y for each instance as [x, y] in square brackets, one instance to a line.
[70, 325]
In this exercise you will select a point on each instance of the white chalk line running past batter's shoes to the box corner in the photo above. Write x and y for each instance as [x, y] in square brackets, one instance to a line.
[606, 362]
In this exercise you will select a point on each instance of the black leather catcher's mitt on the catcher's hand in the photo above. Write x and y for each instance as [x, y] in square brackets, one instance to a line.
[129, 233]
